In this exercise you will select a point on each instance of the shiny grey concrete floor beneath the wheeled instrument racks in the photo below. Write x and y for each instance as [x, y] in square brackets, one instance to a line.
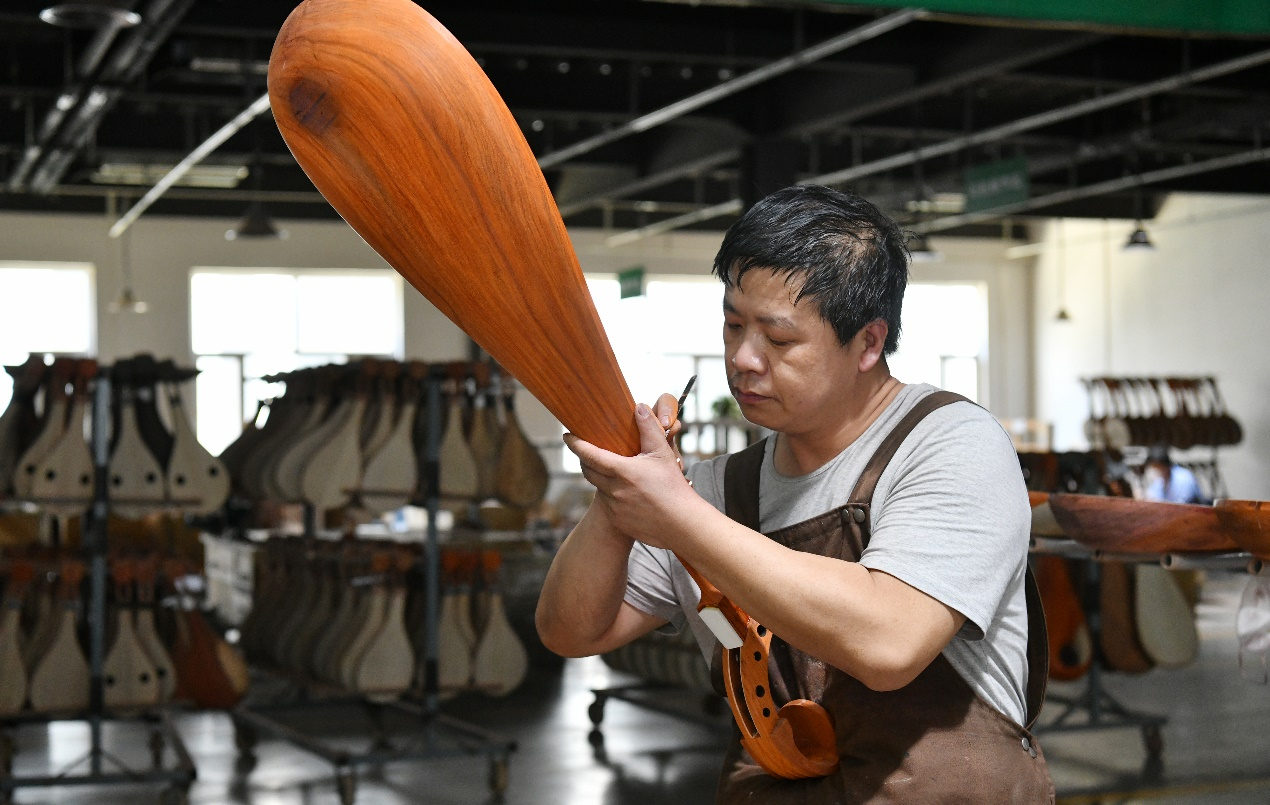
[1217, 746]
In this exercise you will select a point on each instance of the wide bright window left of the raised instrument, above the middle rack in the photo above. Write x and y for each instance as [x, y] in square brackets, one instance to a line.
[248, 324]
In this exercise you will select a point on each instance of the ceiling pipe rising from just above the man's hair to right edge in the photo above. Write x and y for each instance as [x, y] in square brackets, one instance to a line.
[1042, 120]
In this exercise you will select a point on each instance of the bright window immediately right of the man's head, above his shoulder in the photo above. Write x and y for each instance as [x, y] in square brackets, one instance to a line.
[944, 337]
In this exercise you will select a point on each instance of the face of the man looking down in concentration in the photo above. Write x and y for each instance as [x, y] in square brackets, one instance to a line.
[785, 365]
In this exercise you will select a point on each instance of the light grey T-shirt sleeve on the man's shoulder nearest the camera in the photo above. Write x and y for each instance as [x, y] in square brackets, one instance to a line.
[952, 517]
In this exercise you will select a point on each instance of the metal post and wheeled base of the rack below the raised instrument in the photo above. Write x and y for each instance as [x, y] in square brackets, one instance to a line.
[438, 736]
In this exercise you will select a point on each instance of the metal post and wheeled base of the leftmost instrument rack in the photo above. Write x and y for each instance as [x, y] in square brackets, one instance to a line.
[104, 769]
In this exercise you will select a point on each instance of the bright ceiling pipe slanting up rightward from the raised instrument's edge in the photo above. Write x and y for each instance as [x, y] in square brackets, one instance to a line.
[730, 88]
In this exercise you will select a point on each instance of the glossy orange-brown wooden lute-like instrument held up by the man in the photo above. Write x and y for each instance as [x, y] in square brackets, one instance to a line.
[404, 135]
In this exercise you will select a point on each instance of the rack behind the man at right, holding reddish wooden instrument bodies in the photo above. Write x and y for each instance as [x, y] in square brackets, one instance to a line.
[1103, 566]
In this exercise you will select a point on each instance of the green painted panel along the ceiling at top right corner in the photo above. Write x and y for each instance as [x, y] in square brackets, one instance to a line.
[1216, 17]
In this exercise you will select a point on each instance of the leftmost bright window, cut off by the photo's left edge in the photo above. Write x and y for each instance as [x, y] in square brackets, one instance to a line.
[58, 313]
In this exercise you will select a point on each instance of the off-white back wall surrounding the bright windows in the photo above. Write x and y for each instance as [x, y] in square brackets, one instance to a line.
[166, 249]
